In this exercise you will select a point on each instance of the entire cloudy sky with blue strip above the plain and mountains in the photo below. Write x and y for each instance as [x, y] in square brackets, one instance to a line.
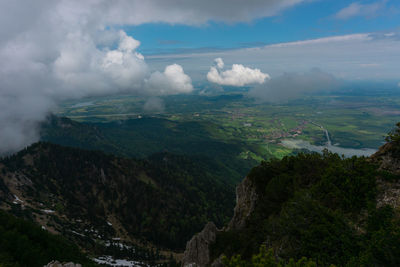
[57, 50]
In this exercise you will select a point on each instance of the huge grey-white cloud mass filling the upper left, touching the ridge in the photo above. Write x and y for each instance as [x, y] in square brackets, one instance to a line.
[67, 50]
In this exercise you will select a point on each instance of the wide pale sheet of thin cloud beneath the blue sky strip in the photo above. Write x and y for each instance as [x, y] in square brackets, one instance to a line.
[341, 56]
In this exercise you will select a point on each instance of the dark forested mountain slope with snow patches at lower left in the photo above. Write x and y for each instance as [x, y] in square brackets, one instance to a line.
[89, 196]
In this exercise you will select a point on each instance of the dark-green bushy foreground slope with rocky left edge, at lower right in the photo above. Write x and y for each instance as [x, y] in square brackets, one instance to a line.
[323, 207]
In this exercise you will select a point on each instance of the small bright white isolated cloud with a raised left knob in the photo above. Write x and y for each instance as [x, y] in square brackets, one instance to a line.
[238, 75]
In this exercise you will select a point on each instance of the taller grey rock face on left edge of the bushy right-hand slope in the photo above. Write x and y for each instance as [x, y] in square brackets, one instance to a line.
[246, 197]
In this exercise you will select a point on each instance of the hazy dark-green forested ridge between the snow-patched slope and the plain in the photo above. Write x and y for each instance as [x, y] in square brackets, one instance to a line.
[140, 138]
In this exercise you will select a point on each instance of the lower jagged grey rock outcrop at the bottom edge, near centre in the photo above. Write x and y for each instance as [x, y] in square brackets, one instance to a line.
[197, 253]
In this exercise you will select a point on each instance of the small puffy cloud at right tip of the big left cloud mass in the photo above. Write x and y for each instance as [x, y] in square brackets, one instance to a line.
[172, 81]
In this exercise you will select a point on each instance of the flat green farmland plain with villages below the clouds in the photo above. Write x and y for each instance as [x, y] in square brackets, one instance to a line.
[353, 121]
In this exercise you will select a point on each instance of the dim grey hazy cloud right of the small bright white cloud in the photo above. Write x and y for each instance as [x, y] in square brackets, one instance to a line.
[293, 85]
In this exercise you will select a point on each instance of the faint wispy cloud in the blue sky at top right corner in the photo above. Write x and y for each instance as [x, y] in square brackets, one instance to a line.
[358, 9]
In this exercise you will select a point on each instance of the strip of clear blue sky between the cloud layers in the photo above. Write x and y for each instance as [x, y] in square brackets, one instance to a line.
[308, 20]
